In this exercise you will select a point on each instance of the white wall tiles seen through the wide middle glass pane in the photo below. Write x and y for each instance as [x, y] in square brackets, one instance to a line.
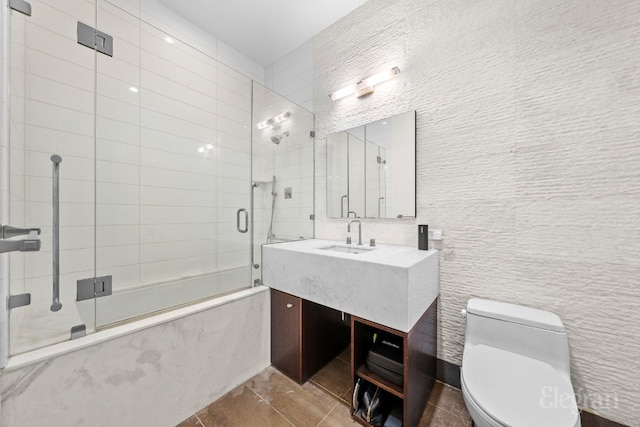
[174, 210]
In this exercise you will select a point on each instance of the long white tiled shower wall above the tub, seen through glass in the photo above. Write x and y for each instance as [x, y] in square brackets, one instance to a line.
[132, 170]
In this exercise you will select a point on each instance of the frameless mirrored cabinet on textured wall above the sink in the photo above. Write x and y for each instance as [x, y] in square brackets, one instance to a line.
[371, 169]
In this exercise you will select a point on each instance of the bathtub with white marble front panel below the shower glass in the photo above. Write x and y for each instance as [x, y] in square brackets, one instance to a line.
[172, 364]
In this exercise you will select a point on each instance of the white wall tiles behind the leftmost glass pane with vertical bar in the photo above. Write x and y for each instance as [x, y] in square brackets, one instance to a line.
[52, 109]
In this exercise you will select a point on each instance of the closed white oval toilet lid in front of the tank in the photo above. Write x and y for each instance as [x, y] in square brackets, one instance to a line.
[517, 390]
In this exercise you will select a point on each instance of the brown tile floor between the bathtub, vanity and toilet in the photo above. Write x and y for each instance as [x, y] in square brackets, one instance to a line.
[272, 399]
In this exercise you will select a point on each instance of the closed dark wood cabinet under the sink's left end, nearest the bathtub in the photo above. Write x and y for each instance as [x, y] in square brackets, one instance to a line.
[305, 336]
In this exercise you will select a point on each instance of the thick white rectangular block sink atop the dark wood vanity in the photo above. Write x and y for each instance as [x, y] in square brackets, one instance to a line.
[390, 285]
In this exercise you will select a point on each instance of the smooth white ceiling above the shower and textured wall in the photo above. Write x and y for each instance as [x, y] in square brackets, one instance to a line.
[263, 30]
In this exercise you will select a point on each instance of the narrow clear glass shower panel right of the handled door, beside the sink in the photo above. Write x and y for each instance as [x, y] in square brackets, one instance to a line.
[283, 172]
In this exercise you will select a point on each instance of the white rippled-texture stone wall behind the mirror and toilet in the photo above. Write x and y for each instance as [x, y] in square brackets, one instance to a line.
[528, 157]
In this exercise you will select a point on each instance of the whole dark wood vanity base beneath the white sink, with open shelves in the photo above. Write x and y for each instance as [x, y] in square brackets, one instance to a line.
[305, 336]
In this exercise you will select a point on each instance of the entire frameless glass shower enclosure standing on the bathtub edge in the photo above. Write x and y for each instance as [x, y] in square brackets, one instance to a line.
[171, 169]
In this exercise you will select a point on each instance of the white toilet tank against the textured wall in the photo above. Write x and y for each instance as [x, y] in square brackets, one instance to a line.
[527, 331]
